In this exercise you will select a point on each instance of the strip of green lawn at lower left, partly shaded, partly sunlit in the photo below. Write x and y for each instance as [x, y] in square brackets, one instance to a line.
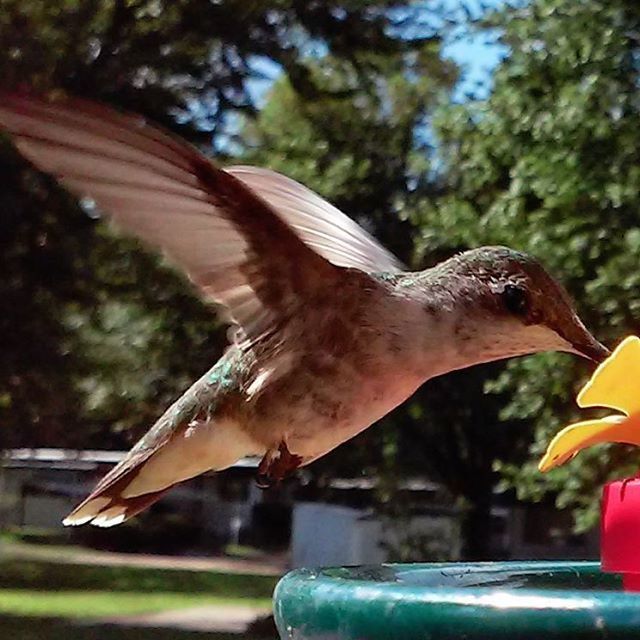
[45, 588]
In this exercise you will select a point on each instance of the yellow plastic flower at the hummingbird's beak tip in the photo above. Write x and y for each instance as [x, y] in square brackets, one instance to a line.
[615, 384]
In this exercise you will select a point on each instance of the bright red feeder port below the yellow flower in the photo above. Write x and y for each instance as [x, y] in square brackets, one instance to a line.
[620, 539]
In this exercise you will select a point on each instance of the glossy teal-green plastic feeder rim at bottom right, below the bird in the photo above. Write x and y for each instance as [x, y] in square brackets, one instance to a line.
[515, 600]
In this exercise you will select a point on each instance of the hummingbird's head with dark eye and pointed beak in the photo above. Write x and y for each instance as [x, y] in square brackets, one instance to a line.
[506, 304]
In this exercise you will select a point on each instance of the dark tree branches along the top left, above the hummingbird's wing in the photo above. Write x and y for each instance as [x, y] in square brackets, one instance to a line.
[200, 61]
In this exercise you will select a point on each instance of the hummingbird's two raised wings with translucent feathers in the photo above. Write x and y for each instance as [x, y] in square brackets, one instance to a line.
[251, 240]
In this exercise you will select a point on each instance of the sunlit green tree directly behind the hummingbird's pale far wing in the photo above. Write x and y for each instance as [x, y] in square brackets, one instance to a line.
[359, 145]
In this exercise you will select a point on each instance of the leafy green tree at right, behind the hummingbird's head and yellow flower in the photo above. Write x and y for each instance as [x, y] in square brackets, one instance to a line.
[550, 163]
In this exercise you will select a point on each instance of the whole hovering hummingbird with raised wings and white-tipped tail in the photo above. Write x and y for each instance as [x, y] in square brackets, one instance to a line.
[329, 331]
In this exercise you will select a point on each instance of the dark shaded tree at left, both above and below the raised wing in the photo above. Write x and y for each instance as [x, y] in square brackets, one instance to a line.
[98, 336]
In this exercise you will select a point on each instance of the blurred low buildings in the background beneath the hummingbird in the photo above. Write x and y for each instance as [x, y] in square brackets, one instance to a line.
[334, 526]
